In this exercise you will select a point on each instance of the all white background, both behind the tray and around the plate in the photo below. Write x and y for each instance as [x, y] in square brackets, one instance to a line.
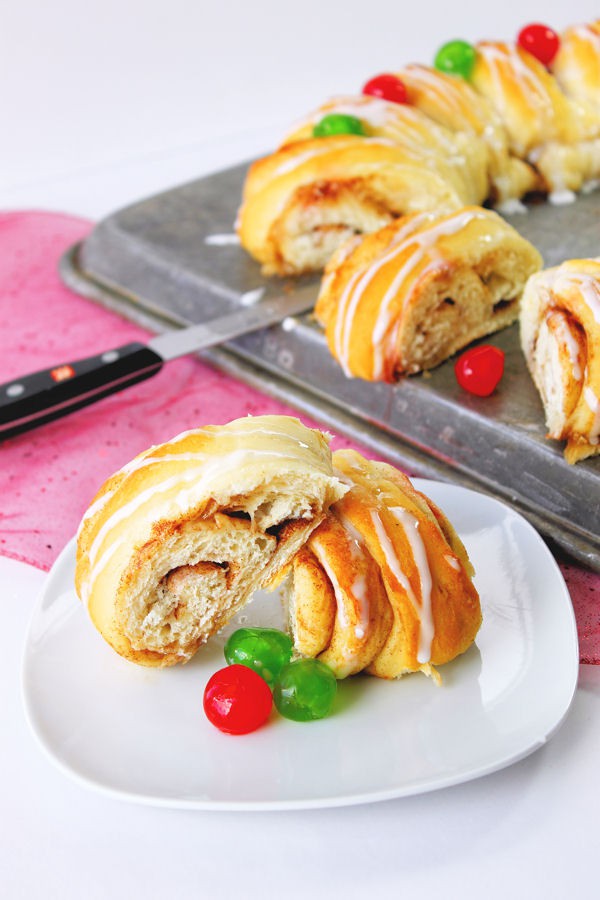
[102, 103]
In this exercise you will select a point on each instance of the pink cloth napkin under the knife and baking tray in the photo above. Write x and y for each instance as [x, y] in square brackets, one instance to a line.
[48, 476]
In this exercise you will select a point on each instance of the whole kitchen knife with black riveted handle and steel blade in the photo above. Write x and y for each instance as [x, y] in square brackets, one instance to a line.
[49, 394]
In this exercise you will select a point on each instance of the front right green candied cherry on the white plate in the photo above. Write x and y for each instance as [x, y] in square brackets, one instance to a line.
[305, 690]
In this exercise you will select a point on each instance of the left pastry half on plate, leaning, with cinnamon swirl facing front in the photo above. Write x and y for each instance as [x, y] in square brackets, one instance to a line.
[179, 539]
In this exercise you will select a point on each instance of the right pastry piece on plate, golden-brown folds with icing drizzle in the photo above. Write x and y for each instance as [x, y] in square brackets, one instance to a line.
[384, 585]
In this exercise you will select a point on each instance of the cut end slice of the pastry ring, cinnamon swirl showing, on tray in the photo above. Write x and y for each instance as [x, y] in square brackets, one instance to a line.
[303, 201]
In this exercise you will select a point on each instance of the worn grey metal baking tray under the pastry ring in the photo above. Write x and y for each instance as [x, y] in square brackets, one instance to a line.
[172, 260]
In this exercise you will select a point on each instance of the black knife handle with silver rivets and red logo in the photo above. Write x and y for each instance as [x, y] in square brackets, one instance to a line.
[51, 393]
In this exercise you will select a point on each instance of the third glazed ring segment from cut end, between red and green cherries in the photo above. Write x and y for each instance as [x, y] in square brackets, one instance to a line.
[452, 102]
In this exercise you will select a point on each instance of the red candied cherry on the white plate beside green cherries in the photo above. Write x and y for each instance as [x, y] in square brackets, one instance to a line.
[237, 700]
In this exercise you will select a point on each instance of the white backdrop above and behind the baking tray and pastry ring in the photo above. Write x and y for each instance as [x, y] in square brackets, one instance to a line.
[147, 87]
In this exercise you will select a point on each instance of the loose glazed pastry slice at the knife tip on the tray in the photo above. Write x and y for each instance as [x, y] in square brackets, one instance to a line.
[410, 295]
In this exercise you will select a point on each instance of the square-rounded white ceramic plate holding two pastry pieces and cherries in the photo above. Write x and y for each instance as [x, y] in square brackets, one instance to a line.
[141, 734]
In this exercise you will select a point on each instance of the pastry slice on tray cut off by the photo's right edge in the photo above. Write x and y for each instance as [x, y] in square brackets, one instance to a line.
[560, 336]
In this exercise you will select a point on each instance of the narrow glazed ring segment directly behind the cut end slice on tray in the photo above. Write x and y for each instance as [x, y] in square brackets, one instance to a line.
[464, 159]
